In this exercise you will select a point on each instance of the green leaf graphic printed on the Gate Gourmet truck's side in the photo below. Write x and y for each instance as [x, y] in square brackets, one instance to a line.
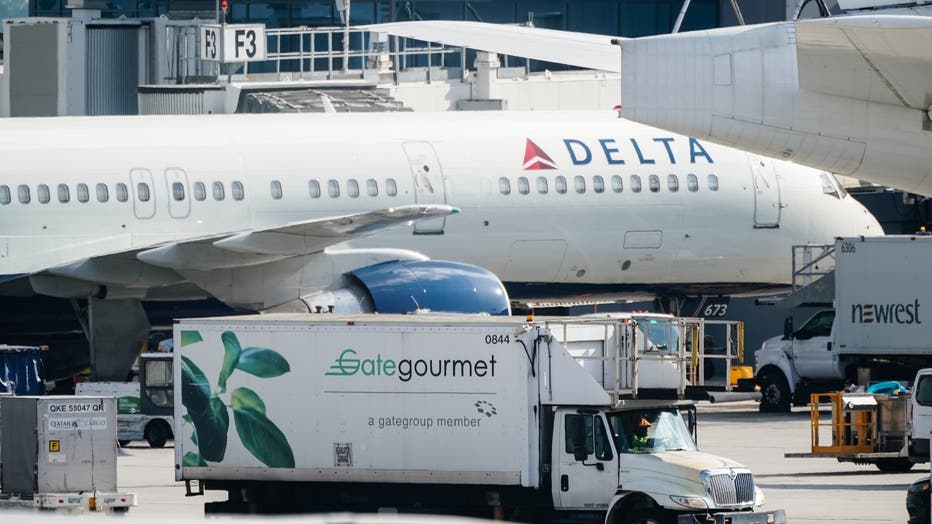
[209, 414]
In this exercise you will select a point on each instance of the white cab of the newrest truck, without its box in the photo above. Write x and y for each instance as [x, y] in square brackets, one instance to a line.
[784, 365]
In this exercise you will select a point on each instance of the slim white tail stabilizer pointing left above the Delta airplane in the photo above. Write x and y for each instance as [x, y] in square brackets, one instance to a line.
[564, 47]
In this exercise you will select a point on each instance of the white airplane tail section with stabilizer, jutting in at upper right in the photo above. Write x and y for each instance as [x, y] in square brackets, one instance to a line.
[848, 94]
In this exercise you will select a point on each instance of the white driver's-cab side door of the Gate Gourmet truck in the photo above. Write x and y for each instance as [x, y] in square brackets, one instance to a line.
[585, 461]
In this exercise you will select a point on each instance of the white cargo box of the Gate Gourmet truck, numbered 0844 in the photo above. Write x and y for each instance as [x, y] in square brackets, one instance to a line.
[372, 398]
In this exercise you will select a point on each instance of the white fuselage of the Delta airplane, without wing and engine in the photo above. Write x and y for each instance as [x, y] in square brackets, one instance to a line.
[568, 198]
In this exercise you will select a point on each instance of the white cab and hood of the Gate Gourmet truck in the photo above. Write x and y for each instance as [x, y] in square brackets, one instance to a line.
[640, 461]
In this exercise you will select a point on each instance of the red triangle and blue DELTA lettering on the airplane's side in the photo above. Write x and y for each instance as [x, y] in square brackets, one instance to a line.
[619, 152]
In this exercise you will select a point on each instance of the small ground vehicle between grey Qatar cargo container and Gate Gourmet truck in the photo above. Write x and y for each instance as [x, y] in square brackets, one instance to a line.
[144, 408]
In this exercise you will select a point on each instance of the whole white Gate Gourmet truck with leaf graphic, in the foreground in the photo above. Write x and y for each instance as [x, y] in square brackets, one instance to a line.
[469, 415]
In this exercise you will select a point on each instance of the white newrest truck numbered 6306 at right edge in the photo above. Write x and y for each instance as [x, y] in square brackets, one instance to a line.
[880, 322]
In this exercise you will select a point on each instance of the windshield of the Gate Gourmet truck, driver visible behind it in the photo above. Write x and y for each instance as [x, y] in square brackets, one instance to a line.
[649, 431]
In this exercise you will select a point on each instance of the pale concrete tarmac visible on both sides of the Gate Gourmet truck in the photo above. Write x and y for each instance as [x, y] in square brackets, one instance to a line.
[812, 491]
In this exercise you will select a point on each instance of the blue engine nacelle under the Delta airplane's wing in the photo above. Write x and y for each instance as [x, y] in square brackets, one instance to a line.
[409, 286]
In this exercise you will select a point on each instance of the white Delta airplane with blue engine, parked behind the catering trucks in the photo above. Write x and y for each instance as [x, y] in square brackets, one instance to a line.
[292, 212]
